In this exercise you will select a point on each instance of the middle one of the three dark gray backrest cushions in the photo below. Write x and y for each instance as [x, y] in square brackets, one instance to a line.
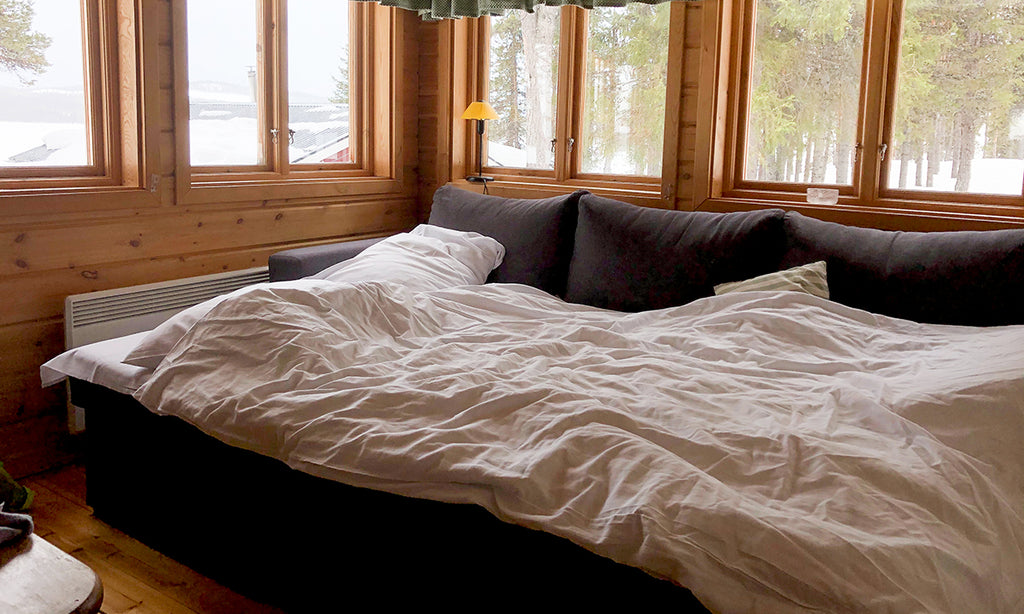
[633, 258]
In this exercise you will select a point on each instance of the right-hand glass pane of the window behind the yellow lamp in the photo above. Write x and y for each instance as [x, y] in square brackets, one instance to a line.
[624, 91]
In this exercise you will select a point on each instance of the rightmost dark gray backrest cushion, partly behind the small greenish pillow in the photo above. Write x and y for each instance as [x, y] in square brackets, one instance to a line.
[963, 278]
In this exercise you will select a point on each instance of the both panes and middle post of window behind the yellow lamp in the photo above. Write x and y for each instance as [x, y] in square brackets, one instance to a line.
[579, 94]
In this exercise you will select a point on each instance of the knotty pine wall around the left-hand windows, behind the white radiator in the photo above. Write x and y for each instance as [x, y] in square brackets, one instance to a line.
[61, 246]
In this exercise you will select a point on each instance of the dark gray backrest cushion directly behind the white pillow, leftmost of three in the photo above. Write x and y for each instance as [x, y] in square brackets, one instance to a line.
[537, 233]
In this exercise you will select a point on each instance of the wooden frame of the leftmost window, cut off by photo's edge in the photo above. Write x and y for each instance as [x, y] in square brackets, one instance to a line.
[120, 82]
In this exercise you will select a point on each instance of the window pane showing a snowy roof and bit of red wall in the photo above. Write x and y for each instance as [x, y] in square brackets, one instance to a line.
[318, 82]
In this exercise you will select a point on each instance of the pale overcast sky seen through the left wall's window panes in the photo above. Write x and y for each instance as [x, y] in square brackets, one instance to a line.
[318, 33]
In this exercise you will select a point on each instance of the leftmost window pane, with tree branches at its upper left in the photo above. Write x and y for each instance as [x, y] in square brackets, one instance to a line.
[44, 108]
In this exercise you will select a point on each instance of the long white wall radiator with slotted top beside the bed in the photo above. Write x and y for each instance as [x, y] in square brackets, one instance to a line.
[100, 316]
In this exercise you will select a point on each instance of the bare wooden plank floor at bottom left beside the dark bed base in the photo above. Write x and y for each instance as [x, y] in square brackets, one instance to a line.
[137, 579]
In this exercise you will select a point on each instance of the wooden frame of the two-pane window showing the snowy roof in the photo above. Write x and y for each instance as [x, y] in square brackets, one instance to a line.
[374, 52]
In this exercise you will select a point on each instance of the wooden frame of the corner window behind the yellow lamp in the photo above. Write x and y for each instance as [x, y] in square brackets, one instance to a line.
[655, 192]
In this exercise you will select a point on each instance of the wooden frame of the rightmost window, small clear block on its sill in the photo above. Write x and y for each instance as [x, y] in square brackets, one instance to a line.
[721, 133]
